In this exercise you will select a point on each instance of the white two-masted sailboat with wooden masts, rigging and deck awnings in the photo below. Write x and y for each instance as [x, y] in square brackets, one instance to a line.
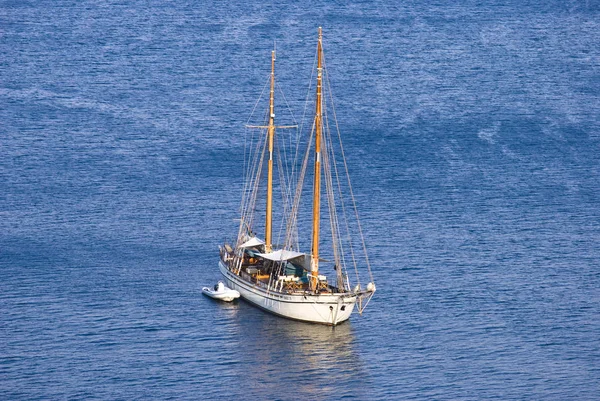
[280, 278]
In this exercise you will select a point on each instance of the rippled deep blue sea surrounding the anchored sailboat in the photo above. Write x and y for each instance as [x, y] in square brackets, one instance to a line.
[472, 131]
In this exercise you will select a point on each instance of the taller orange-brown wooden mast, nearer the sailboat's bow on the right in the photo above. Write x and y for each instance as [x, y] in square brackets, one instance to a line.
[317, 179]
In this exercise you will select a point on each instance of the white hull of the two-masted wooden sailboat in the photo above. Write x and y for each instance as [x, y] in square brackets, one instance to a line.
[330, 309]
